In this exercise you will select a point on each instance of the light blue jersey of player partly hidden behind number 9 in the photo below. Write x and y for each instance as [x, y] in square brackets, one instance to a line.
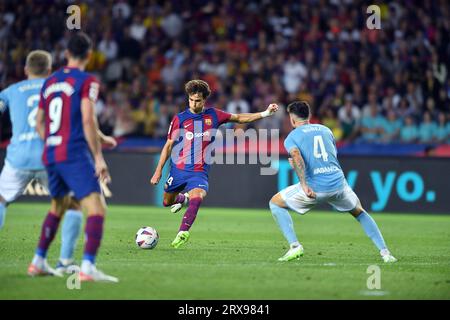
[22, 99]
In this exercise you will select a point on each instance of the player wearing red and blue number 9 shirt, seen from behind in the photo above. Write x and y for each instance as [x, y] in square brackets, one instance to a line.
[72, 155]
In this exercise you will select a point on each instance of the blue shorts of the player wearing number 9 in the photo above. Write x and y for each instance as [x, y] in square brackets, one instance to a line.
[77, 176]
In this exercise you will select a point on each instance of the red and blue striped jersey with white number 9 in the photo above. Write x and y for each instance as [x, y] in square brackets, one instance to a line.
[61, 97]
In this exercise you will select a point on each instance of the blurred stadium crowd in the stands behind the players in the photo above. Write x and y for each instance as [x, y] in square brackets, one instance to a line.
[387, 85]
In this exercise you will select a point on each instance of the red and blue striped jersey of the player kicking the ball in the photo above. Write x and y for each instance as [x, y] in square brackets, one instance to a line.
[192, 134]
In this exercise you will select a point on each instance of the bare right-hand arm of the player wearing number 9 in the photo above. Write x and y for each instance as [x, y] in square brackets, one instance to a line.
[90, 128]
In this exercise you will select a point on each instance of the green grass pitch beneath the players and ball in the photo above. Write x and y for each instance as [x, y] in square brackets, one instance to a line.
[232, 254]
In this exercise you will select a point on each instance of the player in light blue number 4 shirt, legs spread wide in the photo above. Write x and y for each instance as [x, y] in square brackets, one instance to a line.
[314, 158]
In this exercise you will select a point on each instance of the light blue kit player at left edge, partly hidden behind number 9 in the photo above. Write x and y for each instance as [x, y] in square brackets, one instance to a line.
[23, 161]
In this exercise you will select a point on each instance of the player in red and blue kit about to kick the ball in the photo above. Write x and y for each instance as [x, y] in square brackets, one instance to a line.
[190, 133]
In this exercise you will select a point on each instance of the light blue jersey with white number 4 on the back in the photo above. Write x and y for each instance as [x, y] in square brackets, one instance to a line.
[318, 149]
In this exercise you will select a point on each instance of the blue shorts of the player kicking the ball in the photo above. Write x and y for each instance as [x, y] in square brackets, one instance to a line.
[179, 180]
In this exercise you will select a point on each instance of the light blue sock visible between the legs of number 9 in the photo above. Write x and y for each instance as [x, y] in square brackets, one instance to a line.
[69, 233]
